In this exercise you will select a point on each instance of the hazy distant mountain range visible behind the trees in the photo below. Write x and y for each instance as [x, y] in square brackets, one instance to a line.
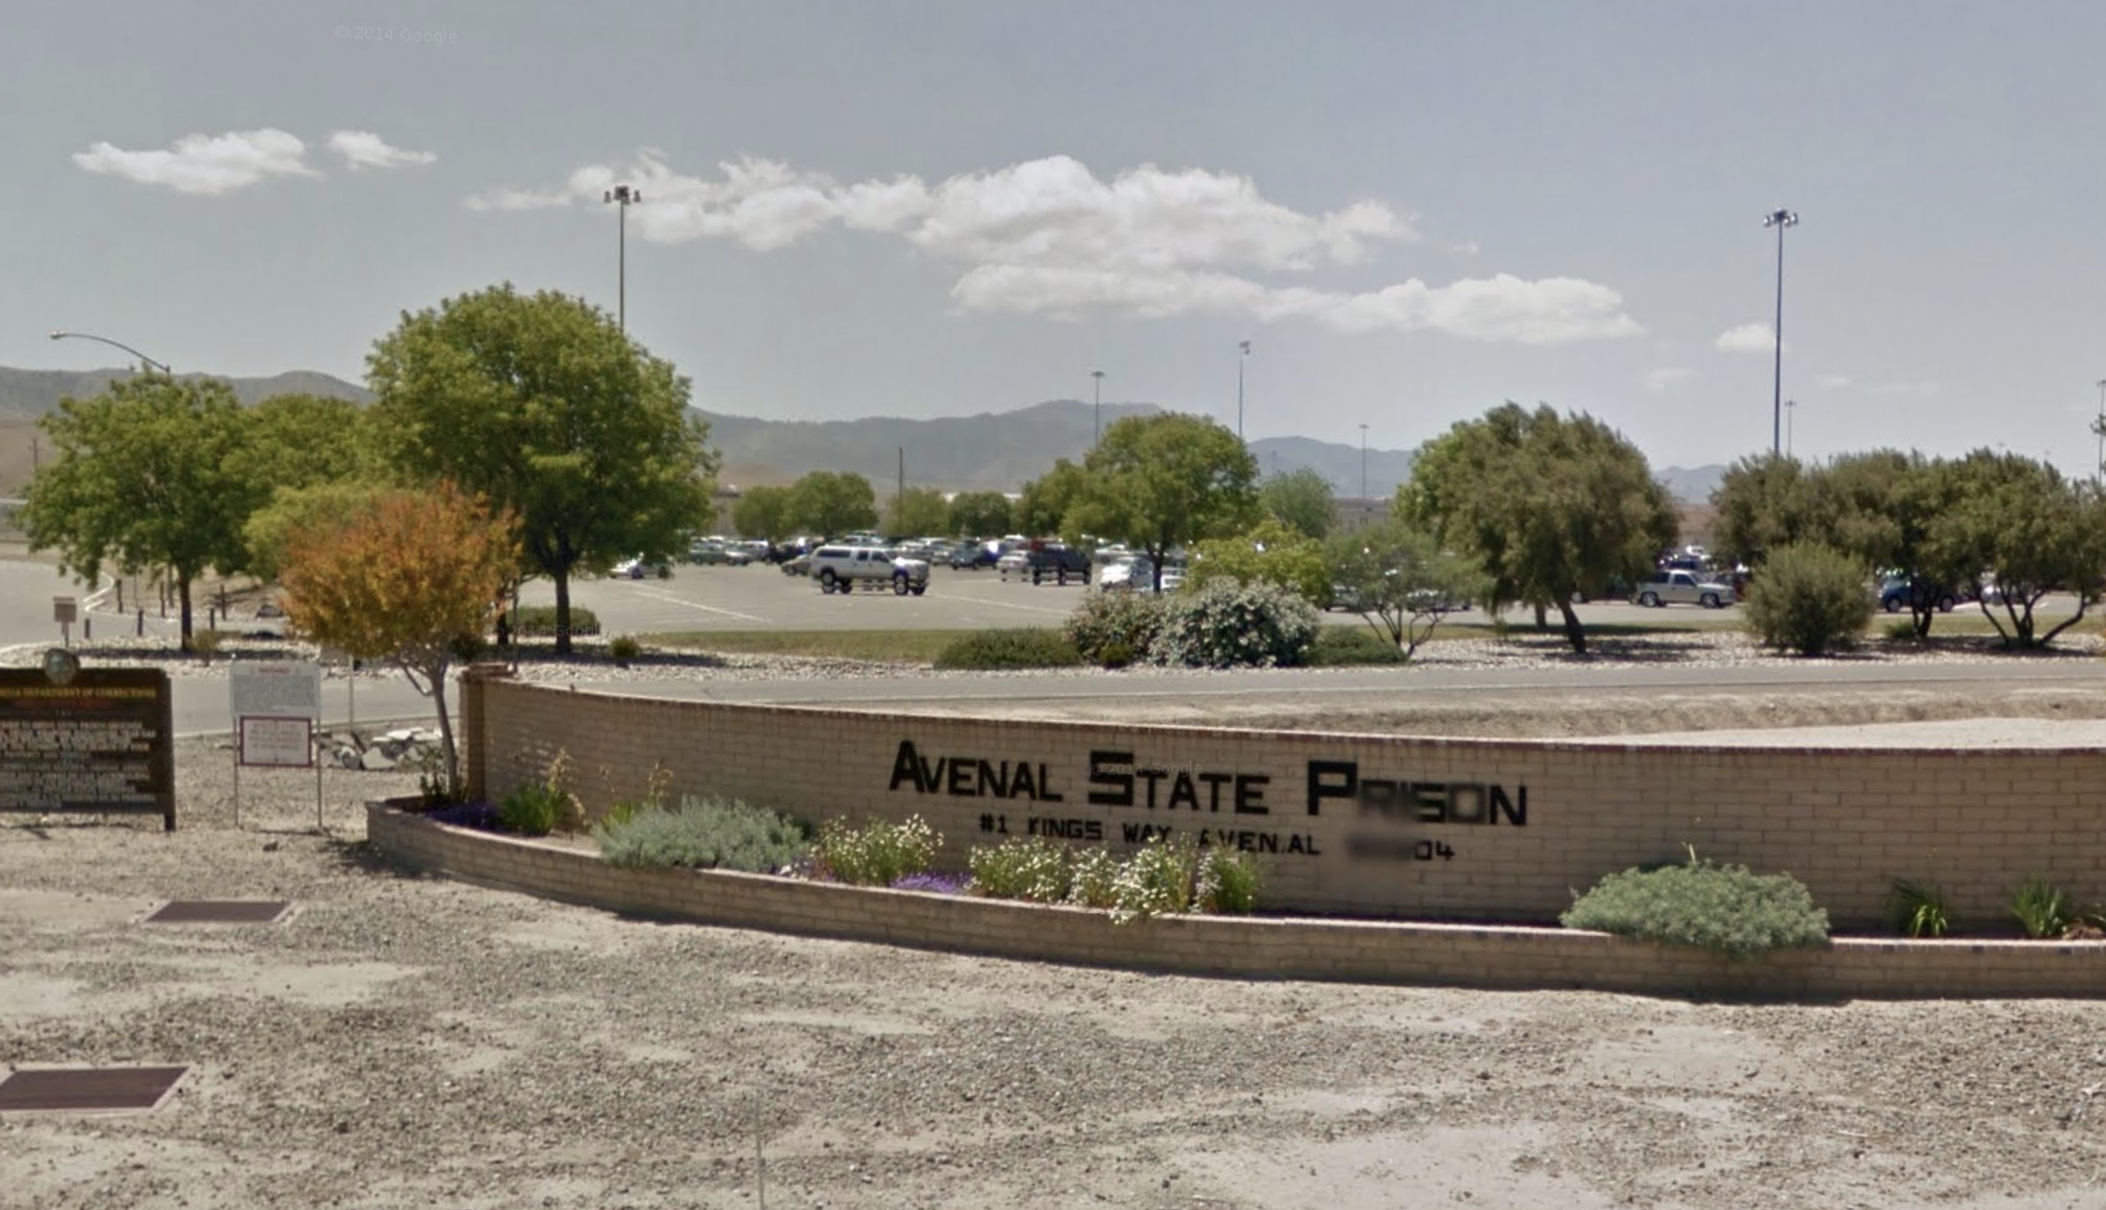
[989, 451]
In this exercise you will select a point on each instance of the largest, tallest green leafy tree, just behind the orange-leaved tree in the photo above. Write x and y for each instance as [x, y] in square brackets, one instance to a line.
[551, 411]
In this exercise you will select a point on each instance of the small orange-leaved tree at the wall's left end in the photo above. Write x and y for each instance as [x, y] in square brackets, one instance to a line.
[403, 580]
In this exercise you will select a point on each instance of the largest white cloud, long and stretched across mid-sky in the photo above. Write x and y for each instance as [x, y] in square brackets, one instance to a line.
[1050, 237]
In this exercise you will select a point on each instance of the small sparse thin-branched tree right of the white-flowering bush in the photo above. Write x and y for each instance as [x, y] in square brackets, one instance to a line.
[1399, 580]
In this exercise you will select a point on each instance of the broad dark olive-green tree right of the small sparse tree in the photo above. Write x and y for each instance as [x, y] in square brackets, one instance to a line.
[1549, 504]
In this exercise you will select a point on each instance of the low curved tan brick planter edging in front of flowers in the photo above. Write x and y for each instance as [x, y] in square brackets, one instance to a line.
[1254, 948]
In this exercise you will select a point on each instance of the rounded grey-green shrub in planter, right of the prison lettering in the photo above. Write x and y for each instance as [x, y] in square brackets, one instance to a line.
[1717, 908]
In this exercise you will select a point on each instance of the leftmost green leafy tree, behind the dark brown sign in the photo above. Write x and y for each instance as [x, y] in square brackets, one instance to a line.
[146, 477]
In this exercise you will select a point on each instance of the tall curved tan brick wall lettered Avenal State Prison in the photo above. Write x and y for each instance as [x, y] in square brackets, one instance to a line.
[1848, 824]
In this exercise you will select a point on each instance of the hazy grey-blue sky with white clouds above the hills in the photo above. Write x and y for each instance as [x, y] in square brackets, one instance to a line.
[886, 207]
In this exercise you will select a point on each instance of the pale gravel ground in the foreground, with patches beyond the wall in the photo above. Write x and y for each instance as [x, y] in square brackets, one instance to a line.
[418, 1043]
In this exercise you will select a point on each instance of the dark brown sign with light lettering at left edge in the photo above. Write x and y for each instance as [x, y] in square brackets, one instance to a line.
[87, 742]
